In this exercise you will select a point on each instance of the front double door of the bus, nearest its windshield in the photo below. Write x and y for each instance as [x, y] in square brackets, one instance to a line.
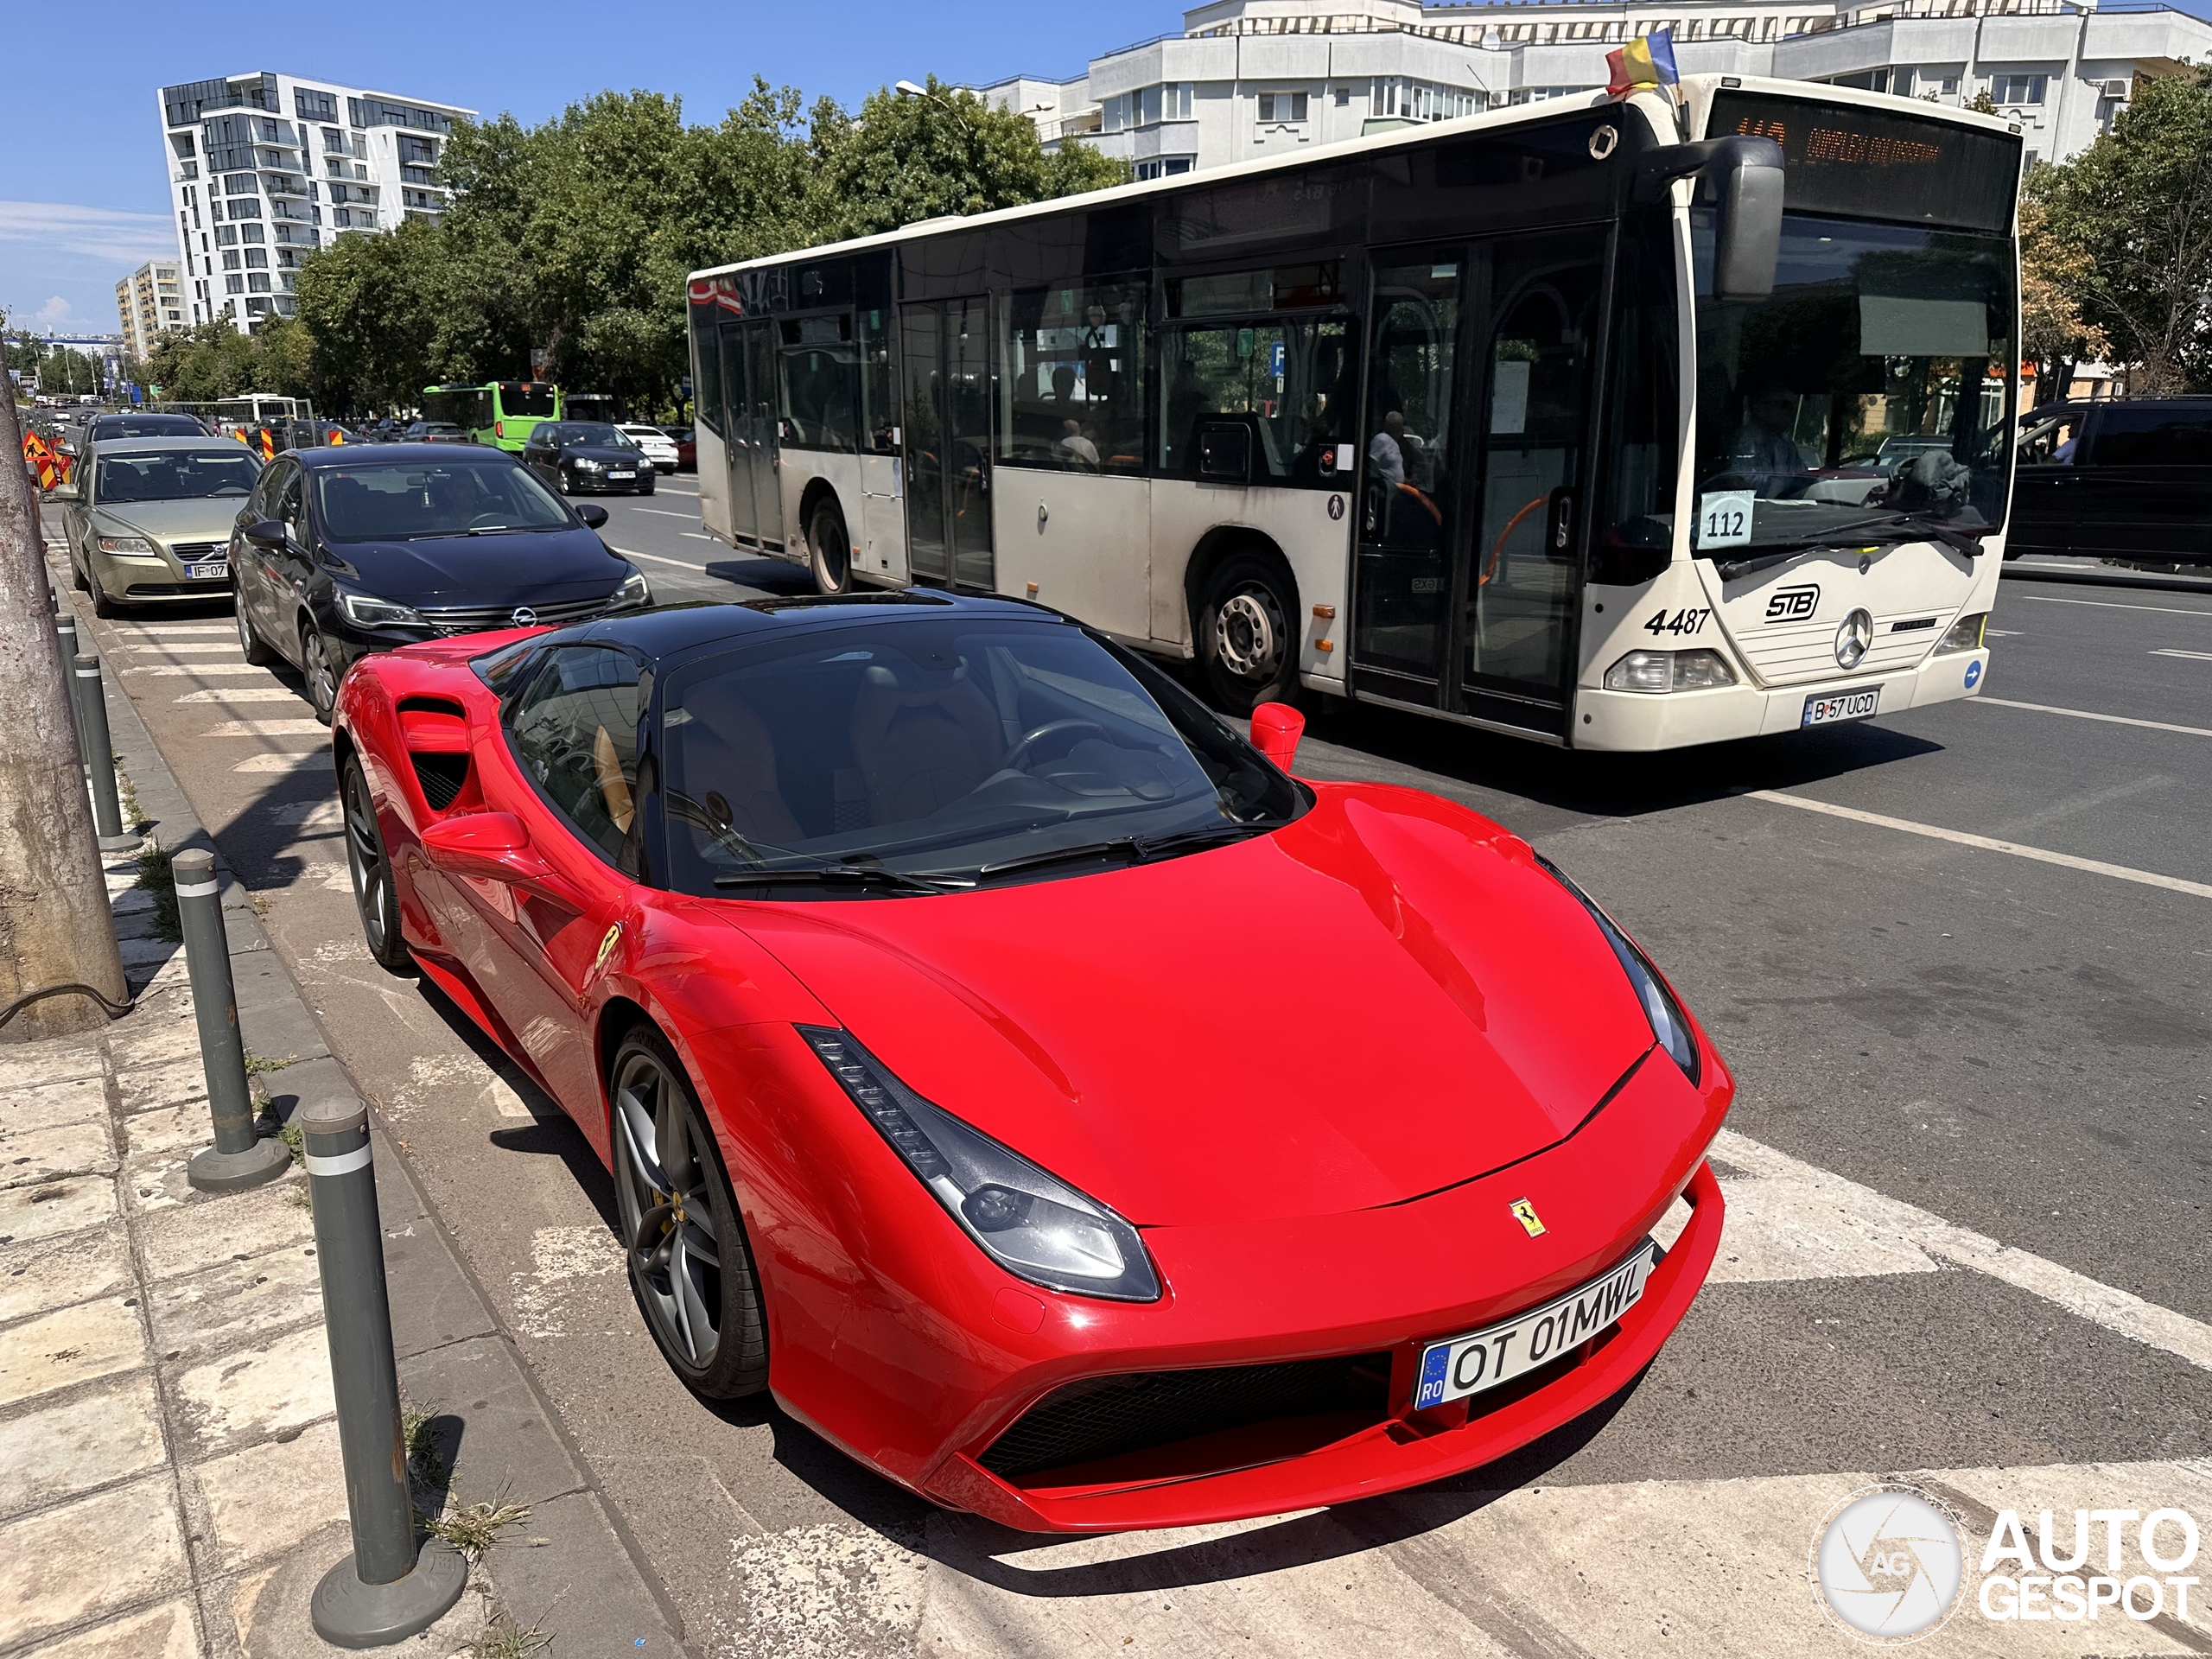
[1481, 364]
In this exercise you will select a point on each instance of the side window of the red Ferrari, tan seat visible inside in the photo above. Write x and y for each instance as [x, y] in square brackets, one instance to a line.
[576, 735]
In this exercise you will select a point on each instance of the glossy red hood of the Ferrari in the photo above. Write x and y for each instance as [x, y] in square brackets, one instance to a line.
[1375, 1003]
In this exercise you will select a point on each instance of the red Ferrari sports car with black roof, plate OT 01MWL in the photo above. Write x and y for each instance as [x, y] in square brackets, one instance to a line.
[1052, 1100]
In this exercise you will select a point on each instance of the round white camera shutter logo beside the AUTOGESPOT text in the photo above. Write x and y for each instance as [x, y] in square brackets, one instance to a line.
[1888, 1565]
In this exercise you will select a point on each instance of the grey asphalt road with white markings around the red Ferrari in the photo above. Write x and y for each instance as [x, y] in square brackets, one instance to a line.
[1968, 1176]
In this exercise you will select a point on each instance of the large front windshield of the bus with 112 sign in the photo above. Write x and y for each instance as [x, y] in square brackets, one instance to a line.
[1870, 390]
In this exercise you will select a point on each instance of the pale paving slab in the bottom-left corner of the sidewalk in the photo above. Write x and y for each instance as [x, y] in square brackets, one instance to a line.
[123, 1547]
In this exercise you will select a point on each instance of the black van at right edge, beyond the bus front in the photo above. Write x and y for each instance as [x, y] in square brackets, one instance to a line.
[2125, 479]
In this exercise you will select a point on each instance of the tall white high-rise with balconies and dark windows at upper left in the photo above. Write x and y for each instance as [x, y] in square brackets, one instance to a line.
[264, 169]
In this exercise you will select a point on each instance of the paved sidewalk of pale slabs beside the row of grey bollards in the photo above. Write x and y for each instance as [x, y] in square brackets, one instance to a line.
[169, 1459]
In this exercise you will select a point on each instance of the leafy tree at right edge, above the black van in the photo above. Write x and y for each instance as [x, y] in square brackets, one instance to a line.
[2140, 205]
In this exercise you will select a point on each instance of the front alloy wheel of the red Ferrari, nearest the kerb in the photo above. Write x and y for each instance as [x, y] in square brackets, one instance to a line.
[687, 1249]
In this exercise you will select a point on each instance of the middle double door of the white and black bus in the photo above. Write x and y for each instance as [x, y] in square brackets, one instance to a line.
[948, 439]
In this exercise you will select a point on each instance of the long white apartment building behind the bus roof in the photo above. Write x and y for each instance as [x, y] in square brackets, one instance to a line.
[1251, 79]
